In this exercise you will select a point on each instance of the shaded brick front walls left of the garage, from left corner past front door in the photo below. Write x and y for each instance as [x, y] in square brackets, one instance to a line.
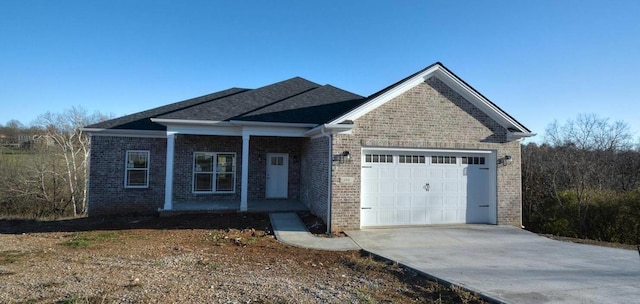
[107, 194]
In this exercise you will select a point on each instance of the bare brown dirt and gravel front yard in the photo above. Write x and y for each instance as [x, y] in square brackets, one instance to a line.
[215, 258]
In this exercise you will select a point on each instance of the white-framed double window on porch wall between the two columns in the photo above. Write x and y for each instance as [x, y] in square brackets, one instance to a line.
[214, 172]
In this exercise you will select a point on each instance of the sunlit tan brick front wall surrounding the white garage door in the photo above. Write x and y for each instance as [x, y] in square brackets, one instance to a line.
[431, 116]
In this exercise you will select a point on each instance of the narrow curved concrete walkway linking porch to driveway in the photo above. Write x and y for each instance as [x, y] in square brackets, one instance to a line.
[289, 229]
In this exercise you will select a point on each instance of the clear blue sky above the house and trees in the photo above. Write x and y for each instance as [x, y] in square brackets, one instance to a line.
[538, 60]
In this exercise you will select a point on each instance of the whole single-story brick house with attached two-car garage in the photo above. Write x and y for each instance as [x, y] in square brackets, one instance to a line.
[429, 149]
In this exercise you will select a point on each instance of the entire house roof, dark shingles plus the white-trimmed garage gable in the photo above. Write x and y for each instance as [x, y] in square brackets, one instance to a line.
[300, 101]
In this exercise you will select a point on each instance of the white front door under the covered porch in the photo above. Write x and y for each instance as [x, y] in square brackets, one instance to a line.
[277, 175]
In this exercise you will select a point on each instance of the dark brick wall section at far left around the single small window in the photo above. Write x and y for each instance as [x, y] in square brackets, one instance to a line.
[106, 192]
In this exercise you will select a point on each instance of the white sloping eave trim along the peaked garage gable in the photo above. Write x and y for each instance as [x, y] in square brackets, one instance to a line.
[453, 82]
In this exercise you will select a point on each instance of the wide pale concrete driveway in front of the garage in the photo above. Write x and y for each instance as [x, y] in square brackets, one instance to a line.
[510, 264]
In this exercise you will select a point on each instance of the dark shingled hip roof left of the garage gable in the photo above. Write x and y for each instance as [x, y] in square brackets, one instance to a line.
[296, 100]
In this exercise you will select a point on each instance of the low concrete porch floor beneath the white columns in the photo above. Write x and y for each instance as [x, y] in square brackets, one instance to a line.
[231, 206]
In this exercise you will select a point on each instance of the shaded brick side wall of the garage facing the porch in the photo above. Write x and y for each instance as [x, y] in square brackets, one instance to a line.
[314, 186]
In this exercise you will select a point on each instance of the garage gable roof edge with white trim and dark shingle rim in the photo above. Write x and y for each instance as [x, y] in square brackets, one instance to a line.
[515, 128]
